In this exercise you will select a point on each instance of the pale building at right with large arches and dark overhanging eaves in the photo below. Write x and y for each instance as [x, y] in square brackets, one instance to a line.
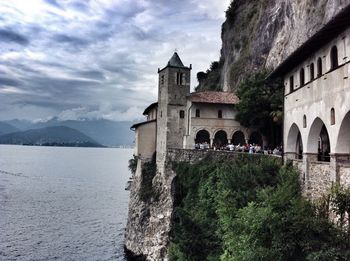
[317, 106]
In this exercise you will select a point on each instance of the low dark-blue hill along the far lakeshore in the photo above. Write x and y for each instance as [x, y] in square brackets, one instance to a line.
[58, 135]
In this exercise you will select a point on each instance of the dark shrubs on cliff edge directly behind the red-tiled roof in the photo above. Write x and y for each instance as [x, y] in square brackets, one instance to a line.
[209, 80]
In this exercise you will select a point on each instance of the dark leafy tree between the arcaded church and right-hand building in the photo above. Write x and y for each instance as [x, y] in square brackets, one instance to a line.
[261, 105]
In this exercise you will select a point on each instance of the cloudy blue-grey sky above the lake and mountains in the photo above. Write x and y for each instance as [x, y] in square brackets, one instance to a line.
[98, 59]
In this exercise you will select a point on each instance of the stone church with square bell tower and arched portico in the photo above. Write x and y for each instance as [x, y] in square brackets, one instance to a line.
[181, 119]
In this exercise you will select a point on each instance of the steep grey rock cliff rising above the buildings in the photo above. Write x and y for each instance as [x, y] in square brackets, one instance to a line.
[260, 34]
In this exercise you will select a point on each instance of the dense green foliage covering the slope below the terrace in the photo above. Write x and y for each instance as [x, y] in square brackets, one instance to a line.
[248, 208]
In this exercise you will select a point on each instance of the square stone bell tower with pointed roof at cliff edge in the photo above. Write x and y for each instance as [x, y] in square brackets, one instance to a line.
[173, 89]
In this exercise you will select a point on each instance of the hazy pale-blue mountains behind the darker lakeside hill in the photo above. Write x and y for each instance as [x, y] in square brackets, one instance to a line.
[105, 132]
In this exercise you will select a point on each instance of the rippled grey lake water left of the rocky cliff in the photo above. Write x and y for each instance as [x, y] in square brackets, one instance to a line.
[63, 203]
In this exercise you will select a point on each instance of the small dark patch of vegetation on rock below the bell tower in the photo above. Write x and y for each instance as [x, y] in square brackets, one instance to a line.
[147, 190]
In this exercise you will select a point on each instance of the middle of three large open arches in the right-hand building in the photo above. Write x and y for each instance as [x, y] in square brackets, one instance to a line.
[318, 140]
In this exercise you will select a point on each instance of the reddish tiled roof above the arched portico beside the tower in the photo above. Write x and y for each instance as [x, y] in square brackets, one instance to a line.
[214, 97]
